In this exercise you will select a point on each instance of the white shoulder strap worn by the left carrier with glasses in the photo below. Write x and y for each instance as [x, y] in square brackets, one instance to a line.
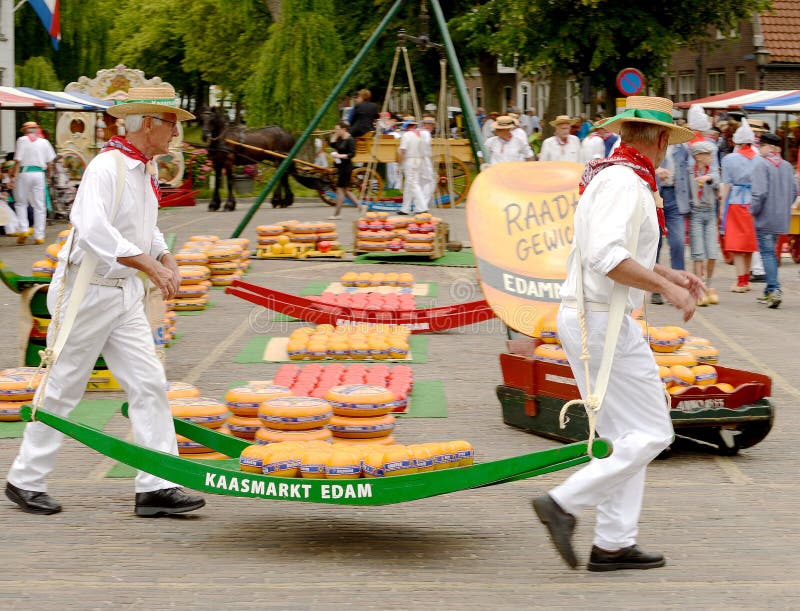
[79, 287]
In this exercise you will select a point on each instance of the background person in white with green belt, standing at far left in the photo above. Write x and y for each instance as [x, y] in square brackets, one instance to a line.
[34, 157]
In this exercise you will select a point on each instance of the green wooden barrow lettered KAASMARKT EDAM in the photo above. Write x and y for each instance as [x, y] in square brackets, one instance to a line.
[225, 477]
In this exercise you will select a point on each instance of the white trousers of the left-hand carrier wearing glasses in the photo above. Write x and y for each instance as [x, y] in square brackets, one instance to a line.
[111, 320]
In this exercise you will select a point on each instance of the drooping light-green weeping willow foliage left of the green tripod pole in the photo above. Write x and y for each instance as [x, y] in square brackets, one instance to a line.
[297, 67]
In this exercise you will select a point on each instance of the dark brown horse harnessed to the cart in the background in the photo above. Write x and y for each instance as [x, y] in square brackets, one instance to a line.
[225, 154]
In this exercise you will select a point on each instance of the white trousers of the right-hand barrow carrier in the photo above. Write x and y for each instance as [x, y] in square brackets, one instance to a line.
[634, 416]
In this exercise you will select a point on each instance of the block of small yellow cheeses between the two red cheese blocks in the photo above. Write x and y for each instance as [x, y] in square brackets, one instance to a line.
[358, 341]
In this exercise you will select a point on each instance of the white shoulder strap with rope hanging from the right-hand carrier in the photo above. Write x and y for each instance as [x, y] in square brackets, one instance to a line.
[619, 297]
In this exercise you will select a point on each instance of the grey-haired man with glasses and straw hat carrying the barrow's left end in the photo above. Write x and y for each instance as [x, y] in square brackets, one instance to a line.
[117, 227]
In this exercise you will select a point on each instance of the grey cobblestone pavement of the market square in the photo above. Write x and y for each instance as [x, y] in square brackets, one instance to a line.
[728, 526]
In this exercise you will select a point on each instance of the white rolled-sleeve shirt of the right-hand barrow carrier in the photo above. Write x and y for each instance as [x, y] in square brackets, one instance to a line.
[603, 228]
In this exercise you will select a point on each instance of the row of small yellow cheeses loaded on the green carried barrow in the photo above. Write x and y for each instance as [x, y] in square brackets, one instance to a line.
[319, 460]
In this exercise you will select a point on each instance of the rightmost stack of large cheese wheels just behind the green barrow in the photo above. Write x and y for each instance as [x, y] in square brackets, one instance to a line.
[361, 414]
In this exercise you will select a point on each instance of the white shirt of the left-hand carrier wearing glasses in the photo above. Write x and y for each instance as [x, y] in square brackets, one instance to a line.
[132, 232]
